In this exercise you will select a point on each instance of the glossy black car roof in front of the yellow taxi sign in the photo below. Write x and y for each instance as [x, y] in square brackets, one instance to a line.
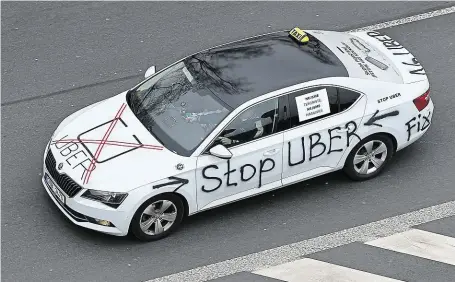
[256, 66]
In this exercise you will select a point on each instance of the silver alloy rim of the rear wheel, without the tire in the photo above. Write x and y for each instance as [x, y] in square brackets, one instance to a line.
[370, 157]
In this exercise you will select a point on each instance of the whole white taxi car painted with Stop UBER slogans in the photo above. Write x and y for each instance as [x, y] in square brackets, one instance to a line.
[235, 121]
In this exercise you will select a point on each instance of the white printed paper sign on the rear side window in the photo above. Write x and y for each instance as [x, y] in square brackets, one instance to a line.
[312, 104]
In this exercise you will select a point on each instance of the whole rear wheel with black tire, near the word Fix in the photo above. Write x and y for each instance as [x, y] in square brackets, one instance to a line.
[357, 171]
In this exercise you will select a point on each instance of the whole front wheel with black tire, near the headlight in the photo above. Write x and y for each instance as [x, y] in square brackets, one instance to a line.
[156, 216]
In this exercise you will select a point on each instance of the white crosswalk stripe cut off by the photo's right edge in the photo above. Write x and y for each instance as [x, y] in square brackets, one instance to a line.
[419, 243]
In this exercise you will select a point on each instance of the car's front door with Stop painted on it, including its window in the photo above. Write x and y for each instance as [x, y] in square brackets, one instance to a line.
[256, 143]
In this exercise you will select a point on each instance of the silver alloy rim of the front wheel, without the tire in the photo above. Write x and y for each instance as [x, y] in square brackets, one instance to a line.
[158, 217]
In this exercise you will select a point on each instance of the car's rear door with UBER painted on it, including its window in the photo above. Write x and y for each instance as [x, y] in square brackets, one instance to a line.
[324, 122]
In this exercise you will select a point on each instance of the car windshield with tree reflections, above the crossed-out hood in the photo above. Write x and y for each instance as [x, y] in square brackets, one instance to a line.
[178, 106]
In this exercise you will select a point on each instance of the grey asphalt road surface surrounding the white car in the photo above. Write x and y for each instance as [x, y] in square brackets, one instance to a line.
[58, 57]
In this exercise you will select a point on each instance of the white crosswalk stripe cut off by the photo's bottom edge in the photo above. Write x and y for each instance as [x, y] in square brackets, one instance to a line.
[310, 270]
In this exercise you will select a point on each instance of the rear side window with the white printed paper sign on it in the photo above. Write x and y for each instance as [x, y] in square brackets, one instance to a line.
[316, 103]
